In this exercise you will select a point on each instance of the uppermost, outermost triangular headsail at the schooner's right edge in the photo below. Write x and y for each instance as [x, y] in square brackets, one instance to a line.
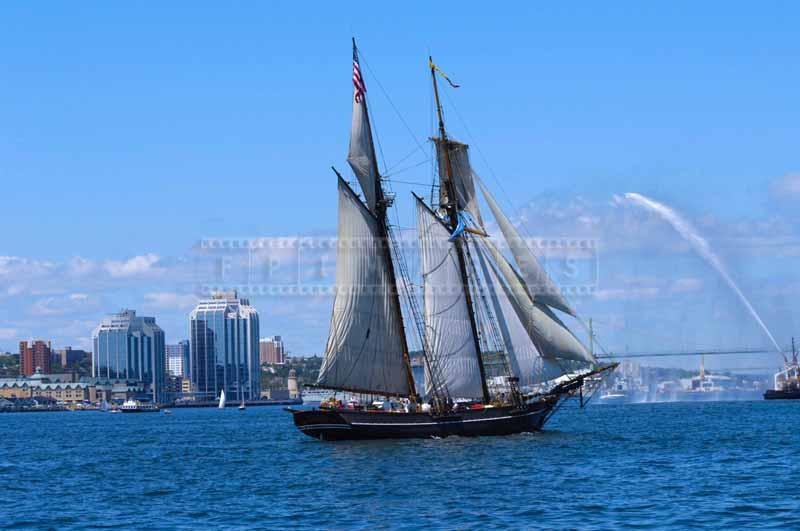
[539, 284]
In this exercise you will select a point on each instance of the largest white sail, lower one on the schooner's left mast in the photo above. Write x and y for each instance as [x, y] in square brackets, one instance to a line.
[364, 351]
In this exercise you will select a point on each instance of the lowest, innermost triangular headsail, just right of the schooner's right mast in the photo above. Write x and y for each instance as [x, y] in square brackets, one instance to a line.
[526, 362]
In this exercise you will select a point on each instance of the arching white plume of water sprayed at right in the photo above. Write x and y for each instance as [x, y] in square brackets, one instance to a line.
[701, 247]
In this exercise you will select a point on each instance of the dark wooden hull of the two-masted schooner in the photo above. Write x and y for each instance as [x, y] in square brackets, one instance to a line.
[347, 424]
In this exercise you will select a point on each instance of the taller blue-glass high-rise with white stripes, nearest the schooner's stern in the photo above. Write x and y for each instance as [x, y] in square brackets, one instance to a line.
[223, 344]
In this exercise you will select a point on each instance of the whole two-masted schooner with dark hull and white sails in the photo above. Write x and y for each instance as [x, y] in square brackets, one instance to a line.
[498, 357]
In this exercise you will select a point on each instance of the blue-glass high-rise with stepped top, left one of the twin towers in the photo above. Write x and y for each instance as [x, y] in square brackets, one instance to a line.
[129, 347]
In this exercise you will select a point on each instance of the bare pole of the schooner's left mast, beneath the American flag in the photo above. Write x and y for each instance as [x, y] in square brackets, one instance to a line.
[381, 206]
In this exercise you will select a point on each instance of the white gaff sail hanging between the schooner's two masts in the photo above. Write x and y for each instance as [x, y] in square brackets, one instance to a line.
[447, 319]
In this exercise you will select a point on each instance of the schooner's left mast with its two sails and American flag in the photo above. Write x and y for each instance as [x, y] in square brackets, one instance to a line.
[367, 351]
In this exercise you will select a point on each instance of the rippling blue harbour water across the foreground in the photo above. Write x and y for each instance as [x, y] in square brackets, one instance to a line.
[651, 466]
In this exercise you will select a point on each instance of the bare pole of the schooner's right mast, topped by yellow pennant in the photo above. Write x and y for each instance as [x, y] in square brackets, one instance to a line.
[452, 212]
